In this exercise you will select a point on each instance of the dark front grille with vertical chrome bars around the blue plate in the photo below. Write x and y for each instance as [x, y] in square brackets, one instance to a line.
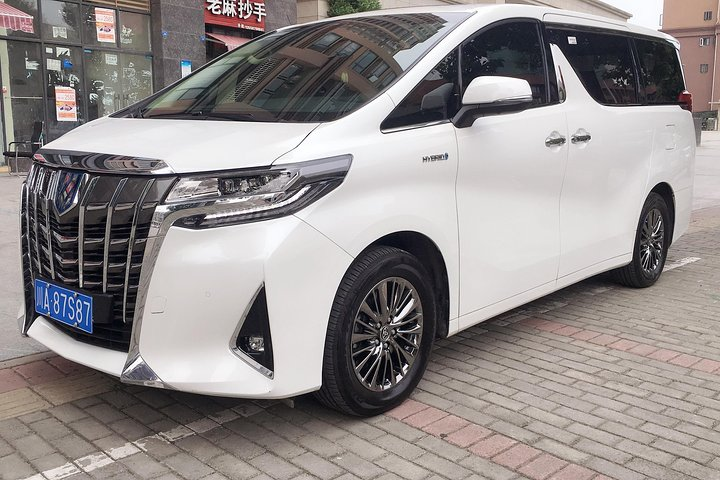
[87, 231]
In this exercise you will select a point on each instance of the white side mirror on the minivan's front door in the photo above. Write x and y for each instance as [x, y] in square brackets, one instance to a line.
[493, 95]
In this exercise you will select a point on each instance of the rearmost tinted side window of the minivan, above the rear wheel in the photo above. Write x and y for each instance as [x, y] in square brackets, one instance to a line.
[661, 77]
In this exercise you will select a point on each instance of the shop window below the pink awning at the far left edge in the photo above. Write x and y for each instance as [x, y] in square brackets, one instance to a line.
[23, 84]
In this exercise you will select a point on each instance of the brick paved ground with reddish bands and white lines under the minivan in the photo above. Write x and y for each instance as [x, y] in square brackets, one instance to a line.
[593, 382]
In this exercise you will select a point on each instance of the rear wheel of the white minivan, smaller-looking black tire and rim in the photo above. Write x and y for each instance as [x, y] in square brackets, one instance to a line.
[644, 271]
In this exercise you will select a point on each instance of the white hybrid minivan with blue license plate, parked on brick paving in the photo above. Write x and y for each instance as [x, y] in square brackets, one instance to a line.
[310, 211]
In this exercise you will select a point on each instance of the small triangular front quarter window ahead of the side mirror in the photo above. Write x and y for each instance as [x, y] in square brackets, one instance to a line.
[435, 98]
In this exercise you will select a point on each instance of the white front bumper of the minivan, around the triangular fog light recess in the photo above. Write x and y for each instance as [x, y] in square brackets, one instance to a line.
[199, 286]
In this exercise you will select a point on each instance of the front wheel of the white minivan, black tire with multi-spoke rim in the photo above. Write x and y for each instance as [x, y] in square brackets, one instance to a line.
[342, 389]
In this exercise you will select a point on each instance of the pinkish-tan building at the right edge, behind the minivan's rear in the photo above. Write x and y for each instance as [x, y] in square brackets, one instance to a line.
[695, 24]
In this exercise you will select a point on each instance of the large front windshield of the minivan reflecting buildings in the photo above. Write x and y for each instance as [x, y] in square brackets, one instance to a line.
[308, 73]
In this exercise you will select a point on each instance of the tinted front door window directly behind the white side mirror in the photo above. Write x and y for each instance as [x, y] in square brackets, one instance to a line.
[507, 50]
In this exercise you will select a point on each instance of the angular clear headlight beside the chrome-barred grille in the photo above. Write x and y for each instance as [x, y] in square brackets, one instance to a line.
[243, 196]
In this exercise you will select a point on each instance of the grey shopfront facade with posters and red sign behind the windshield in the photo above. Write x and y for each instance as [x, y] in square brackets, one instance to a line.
[66, 62]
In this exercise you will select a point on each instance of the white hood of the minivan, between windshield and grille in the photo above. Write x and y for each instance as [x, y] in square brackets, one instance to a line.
[186, 146]
